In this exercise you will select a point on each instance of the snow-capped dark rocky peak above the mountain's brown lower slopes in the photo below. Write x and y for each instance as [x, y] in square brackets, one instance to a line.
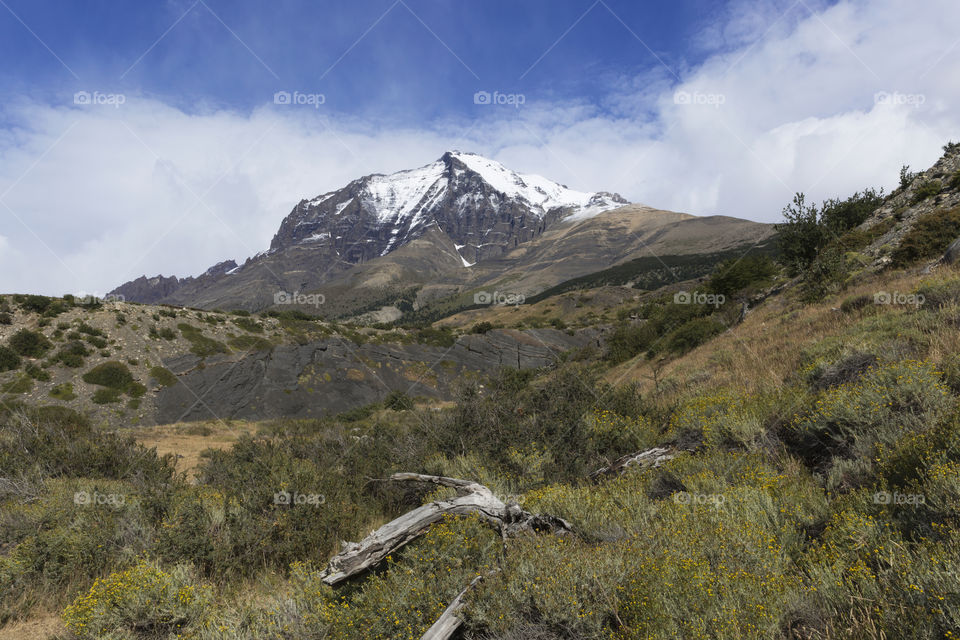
[479, 203]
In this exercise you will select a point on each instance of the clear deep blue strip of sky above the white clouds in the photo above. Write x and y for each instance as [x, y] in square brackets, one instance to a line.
[419, 59]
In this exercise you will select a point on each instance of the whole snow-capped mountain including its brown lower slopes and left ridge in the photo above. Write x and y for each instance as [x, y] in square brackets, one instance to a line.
[461, 222]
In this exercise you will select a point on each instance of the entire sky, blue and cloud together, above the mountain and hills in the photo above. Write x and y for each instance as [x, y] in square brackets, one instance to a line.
[181, 158]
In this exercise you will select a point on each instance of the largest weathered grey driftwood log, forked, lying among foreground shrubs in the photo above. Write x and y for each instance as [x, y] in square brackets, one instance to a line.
[508, 518]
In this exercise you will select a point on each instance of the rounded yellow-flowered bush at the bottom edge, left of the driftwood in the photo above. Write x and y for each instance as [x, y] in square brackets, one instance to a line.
[144, 597]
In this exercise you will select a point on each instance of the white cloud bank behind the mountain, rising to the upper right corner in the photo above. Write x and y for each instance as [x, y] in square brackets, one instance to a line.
[106, 194]
